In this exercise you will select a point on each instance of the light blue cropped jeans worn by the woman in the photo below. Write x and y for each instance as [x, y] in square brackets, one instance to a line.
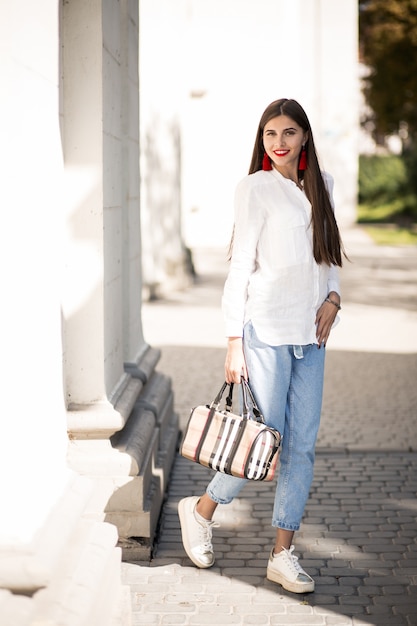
[287, 383]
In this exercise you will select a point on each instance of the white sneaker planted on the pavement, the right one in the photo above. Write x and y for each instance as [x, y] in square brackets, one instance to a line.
[285, 570]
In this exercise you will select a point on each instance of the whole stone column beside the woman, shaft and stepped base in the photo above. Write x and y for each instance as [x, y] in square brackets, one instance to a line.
[121, 423]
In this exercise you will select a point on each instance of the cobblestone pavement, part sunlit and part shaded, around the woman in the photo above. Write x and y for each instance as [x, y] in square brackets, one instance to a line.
[358, 538]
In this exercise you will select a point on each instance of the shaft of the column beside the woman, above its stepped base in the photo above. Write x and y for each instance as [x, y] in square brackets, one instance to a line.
[94, 58]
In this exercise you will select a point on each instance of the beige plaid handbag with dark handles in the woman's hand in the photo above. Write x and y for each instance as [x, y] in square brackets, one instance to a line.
[240, 445]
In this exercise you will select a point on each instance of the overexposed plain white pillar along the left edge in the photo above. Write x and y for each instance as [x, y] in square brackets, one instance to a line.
[34, 440]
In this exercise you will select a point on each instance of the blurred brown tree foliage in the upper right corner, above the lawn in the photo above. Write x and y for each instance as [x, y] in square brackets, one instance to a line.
[388, 46]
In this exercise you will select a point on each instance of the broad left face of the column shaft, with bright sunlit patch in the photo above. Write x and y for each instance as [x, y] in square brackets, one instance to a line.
[83, 286]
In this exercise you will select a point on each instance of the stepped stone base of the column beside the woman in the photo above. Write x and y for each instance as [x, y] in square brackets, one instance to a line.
[131, 468]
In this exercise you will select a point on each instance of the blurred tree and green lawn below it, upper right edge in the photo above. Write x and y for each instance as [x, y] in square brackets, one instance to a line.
[388, 52]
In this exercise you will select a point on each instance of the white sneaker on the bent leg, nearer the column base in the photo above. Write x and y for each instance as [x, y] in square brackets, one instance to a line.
[196, 533]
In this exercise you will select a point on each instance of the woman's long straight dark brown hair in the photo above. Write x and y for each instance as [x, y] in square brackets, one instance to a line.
[327, 245]
